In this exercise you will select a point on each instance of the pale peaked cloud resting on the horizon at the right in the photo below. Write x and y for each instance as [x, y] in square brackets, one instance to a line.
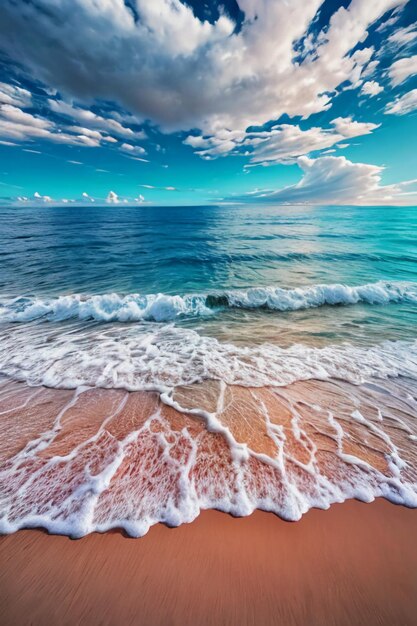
[336, 180]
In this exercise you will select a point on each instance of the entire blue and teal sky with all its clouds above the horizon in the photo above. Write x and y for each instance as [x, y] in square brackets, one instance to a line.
[170, 102]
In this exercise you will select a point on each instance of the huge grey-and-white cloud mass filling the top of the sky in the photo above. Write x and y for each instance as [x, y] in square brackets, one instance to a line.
[155, 72]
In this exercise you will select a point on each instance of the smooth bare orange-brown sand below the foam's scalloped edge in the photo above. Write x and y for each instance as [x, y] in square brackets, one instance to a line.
[353, 564]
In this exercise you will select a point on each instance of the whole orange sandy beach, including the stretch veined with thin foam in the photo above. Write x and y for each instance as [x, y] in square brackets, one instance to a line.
[75, 462]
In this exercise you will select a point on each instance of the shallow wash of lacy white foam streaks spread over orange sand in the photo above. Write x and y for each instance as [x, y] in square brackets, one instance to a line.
[96, 459]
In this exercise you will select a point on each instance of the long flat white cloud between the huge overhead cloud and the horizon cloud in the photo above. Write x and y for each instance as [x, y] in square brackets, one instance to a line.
[283, 143]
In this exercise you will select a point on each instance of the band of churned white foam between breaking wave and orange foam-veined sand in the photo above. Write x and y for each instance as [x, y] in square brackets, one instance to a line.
[158, 357]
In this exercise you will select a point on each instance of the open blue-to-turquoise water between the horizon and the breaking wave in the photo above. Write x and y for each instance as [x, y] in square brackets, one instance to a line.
[46, 251]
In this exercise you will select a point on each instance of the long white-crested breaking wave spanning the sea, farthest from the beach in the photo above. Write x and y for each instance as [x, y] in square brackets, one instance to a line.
[165, 308]
